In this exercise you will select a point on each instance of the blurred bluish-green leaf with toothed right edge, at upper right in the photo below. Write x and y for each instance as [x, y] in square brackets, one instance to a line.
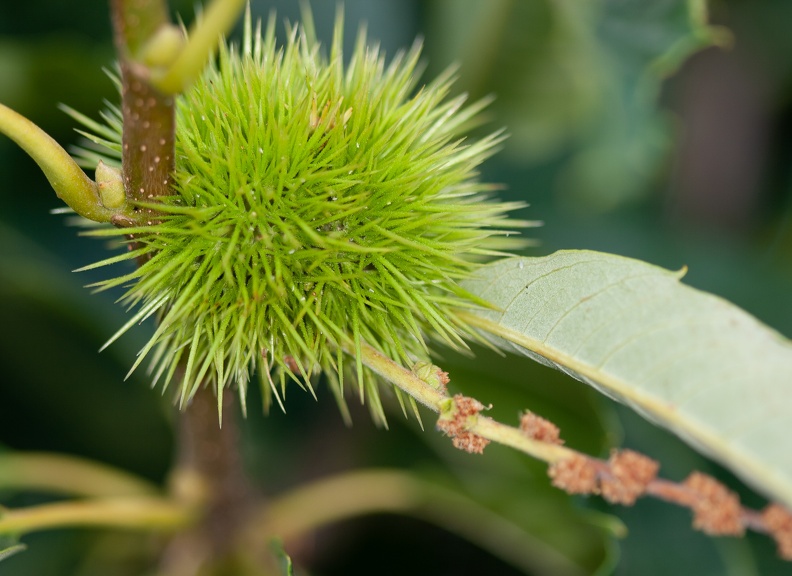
[641, 43]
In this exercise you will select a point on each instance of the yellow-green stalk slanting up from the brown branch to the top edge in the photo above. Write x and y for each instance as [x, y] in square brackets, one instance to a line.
[202, 41]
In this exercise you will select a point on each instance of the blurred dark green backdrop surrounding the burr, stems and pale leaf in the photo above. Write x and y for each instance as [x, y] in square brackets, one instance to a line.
[630, 134]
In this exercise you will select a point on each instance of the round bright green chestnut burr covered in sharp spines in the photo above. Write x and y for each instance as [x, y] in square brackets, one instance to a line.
[319, 203]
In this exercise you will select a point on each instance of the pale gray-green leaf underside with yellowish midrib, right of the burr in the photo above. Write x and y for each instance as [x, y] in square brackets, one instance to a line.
[685, 359]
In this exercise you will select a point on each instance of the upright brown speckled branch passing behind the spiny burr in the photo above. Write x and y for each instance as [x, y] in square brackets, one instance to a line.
[209, 468]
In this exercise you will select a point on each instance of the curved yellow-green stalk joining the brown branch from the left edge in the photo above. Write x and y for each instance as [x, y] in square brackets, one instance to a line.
[66, 178]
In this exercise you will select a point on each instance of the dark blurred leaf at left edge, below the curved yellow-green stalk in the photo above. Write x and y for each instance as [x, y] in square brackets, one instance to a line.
[58, 393]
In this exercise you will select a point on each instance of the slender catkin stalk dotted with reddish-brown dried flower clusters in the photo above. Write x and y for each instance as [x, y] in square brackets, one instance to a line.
[622, 479]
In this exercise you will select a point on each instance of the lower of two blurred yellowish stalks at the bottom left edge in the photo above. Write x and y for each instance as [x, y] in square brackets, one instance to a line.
[139, 513]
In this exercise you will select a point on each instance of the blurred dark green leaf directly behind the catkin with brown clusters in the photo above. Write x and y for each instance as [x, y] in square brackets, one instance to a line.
[512, 485]
